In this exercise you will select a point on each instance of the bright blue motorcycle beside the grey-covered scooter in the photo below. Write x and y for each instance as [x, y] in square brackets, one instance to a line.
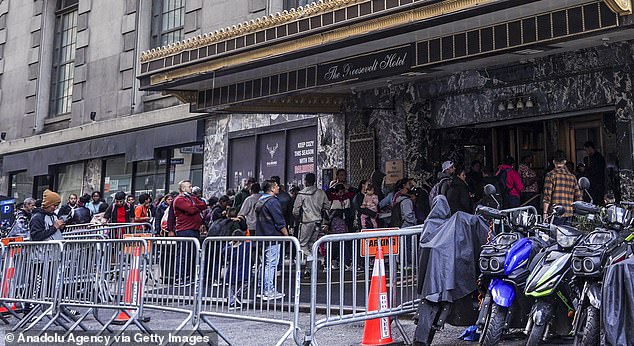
[504, 264]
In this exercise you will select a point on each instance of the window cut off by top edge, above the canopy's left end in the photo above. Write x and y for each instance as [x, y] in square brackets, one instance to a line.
[168, 20]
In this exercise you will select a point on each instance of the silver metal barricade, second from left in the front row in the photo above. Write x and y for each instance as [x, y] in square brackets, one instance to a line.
[102, 275]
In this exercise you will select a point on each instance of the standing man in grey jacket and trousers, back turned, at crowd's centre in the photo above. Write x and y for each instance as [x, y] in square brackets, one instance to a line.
[310, 206]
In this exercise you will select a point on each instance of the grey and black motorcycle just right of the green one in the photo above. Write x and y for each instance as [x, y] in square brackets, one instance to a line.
[599, 249]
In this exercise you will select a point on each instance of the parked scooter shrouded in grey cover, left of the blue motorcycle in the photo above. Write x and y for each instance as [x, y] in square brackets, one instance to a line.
[447, 272]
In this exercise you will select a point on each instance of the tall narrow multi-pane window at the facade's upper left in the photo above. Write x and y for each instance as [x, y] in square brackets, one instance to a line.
[64, 57]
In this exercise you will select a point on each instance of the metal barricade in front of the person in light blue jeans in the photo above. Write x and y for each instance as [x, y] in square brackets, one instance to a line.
[241, 280]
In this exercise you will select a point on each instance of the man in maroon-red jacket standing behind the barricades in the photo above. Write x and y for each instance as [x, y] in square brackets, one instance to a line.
[187, 222]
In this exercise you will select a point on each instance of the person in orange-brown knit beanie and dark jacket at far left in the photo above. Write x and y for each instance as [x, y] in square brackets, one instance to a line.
[44, 224]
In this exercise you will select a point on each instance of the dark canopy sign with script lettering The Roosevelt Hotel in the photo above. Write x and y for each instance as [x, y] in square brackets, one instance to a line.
[384, 63]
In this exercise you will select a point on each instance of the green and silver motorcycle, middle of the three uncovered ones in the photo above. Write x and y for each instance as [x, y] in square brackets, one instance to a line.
[551, 280]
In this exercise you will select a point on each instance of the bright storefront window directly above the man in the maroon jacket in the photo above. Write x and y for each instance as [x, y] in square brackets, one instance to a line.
[186, 164]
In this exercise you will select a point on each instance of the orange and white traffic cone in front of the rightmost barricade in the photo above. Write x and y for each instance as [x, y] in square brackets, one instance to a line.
[378, 331]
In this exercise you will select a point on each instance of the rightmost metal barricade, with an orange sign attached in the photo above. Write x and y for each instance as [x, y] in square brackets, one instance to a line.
[343, 286]
